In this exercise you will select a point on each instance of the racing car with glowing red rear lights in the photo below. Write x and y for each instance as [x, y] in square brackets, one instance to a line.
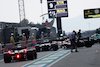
[20, 53]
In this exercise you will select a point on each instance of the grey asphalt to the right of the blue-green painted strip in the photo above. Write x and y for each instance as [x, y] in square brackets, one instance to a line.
[86, 57]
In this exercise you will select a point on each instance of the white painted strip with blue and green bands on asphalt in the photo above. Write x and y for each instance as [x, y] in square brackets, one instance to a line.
[49, 60]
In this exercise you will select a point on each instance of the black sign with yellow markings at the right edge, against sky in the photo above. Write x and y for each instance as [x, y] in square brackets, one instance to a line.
[92, 13]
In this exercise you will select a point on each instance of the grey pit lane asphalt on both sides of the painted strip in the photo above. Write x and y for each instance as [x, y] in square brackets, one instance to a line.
[86, 57]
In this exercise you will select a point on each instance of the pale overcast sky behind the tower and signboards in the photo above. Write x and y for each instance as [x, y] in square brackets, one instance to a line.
[9, 12]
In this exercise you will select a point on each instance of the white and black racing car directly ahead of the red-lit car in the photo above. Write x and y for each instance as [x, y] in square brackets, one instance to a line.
[46, 45]
